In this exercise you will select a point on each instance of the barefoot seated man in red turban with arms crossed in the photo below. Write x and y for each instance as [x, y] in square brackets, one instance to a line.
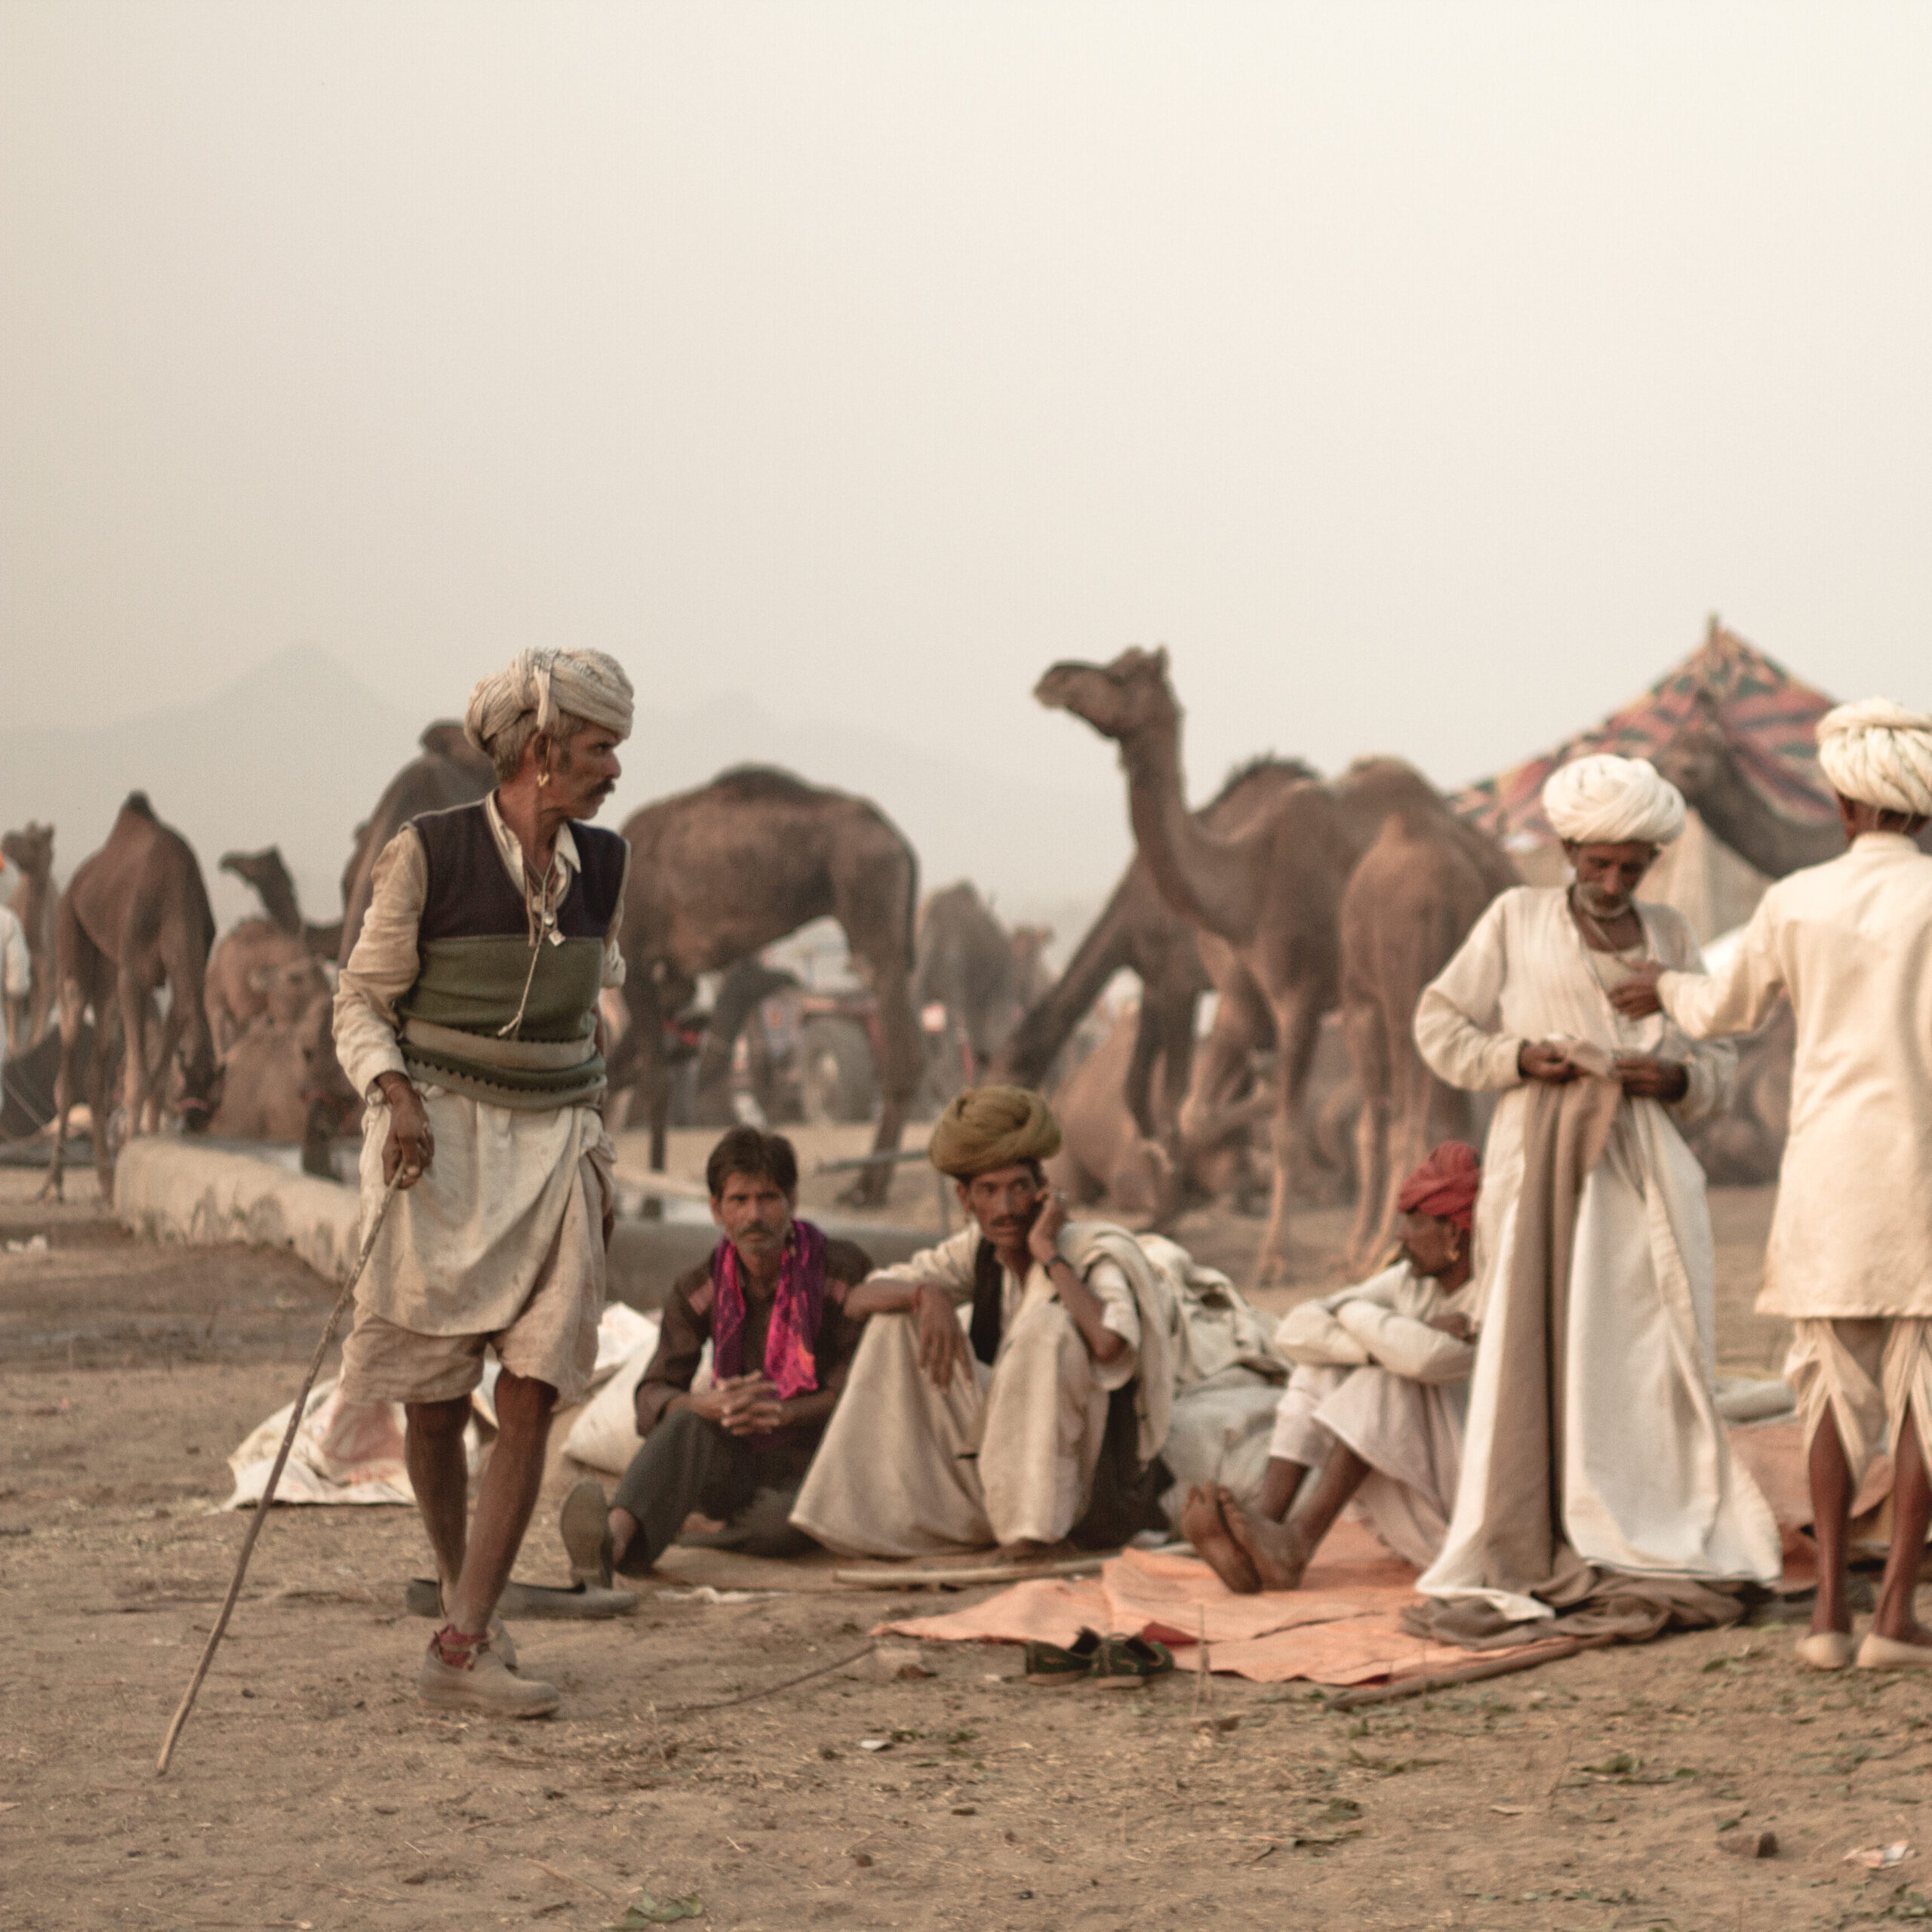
[1377, 1402]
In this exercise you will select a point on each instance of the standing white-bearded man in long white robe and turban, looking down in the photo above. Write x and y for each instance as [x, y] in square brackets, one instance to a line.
[1637, 1477]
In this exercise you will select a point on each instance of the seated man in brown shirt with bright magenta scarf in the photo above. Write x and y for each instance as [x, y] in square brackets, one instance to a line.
[772, 1305]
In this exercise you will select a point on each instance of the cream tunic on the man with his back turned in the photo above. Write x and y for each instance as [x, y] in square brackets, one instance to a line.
[1852, 944]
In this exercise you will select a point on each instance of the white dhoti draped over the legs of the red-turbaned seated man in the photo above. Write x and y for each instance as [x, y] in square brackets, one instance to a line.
[1407, 1433]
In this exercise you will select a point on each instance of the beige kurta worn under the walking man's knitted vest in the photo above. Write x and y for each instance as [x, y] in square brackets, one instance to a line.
[511, 1195]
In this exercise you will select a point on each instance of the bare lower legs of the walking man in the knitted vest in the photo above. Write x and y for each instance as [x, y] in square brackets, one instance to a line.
[478, 1566]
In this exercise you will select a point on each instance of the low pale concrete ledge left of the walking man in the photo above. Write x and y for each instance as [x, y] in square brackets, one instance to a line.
[169, 1189]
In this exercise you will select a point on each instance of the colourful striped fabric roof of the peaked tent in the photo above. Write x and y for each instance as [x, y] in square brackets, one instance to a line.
[1767, 716]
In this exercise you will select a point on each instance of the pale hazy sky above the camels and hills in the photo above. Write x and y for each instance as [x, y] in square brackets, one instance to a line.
[1423, 376]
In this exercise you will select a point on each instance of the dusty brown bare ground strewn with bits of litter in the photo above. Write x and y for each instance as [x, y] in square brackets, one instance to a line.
[310, 1790]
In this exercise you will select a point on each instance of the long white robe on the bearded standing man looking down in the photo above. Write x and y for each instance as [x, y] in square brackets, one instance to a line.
[1649, 1481]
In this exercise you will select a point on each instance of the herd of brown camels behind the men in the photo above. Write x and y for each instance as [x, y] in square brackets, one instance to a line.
[1288, 895]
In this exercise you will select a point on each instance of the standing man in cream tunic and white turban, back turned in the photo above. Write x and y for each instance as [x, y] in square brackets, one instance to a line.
[1850, 1259]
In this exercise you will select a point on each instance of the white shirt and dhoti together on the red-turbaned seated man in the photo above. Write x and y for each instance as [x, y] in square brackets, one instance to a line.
[1373, 1375]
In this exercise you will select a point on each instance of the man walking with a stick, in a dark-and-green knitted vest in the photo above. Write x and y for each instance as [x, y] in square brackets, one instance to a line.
[469, 1017]
